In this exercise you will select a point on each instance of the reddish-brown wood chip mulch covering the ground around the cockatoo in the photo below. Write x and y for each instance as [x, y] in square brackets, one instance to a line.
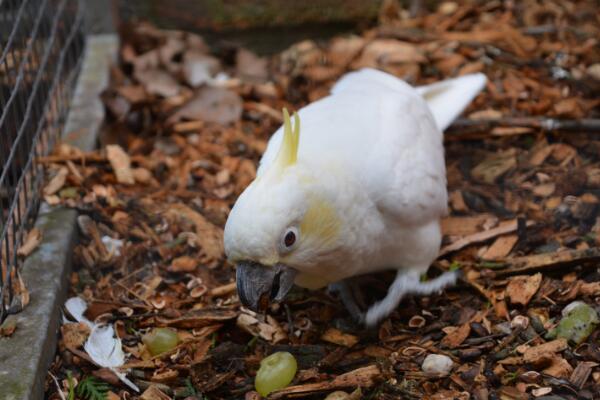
[186, 124]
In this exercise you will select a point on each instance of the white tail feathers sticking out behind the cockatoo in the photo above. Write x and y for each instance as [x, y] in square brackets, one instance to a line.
[448, 99]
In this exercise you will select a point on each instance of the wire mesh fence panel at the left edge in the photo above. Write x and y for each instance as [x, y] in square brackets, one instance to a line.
[41, 43]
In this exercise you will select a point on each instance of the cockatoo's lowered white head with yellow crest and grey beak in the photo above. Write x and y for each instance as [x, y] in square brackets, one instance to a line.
[280, 225]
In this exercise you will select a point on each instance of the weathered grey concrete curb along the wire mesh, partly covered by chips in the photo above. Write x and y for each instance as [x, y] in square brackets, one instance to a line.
[27, 354]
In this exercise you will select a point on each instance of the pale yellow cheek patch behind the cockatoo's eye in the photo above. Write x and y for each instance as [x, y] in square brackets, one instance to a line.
[320, 222]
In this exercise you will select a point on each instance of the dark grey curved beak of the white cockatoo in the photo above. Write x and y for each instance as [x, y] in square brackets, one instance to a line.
[258, 285]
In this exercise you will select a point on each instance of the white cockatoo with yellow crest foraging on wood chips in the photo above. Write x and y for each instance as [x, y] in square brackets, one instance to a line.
[358, 185]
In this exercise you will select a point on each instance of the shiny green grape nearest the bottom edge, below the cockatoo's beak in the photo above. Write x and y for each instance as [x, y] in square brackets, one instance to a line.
[275, 372]
